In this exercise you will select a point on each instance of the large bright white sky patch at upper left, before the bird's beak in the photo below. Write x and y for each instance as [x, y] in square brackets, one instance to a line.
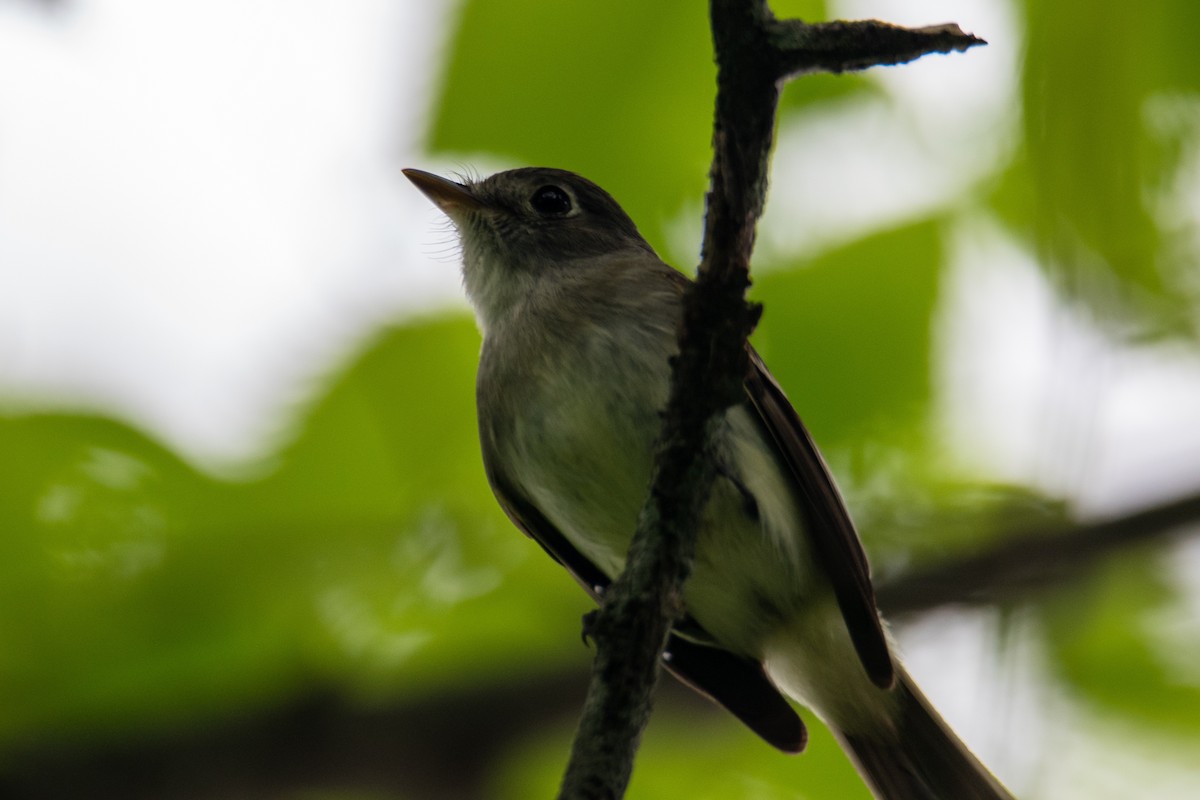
[201, 202]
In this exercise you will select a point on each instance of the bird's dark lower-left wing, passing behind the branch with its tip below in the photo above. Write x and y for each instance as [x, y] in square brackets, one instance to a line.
[736, 683]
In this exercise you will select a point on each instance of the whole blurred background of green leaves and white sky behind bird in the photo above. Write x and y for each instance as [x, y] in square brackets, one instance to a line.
[247, 546]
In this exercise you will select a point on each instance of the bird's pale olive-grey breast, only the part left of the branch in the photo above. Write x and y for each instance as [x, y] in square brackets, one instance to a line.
[579, 425]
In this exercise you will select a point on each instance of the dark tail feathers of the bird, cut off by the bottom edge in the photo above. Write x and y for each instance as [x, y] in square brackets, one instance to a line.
[926, 761]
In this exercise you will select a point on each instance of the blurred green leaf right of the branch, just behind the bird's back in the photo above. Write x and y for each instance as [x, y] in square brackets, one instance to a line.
[849, 334]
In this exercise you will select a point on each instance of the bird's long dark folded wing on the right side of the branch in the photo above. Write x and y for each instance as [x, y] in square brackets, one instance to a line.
[827, 522]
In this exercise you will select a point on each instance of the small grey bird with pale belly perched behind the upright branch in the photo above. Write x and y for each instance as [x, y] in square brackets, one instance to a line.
[580, 321]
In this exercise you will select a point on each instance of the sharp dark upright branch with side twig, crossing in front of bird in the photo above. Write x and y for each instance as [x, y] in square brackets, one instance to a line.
[755, 53]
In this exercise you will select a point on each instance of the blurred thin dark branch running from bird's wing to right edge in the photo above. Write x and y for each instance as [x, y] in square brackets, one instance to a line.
[1021, 564]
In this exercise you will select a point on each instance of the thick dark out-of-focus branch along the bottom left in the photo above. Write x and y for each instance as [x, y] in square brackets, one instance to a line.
[319, 743]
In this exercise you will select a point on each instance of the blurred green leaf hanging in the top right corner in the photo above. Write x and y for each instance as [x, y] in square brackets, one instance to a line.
[1095, 161]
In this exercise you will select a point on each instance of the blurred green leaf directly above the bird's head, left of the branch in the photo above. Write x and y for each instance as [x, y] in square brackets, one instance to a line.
[619, 92]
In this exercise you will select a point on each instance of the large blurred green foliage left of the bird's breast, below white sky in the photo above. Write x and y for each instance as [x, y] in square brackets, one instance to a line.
[139, 593]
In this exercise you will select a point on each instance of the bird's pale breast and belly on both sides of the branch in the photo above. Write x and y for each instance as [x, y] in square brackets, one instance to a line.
[575, 429]
